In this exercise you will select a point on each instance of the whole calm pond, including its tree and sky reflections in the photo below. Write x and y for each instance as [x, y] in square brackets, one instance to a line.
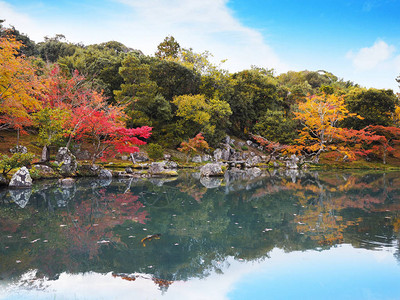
[285, 235]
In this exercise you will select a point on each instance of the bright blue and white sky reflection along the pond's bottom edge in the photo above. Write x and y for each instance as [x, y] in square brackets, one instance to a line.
[342, 272]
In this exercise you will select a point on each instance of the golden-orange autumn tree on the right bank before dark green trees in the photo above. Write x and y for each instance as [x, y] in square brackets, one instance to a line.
[320, 116]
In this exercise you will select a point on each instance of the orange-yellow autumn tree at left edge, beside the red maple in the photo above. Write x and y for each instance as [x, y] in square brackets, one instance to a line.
[20, 87]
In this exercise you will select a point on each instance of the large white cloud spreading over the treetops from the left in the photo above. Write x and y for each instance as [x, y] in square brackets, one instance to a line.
[200, 24]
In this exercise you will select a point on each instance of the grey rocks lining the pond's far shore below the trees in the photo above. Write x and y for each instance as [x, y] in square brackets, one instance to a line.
[227, 157]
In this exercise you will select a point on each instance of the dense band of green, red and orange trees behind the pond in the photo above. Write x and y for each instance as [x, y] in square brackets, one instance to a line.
[117, 97]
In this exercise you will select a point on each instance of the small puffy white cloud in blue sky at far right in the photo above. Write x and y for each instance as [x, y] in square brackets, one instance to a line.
[371, 57]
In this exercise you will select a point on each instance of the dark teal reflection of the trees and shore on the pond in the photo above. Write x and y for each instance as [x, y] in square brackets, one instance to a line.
[206, 225]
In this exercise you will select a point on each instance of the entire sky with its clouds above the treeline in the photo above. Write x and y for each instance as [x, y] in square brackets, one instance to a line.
[356, 40]
